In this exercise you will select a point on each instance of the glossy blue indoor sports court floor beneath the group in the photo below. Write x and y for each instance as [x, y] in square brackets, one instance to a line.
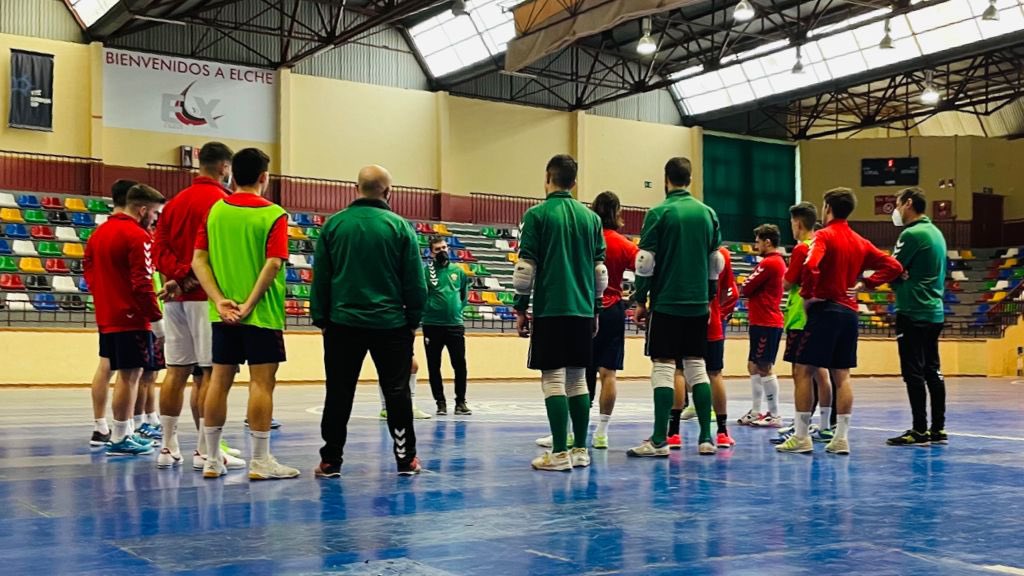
[479, 508]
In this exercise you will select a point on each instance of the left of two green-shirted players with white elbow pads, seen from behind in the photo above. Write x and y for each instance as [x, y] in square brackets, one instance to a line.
[562, 264]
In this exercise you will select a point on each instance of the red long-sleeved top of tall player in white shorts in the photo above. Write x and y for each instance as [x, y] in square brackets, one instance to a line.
[178, 228]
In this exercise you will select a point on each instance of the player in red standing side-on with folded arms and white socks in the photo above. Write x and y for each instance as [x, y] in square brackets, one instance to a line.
[763, 291]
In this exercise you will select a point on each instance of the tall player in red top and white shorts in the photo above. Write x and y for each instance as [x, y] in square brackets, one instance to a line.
[188, 333]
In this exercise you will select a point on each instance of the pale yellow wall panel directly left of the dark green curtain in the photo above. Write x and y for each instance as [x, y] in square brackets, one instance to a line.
[621, 155]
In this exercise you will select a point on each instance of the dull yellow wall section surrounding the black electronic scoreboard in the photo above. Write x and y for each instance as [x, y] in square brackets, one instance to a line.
[827, 164]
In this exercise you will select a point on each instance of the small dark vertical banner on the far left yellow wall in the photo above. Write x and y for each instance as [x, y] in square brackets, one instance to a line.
[31, 91]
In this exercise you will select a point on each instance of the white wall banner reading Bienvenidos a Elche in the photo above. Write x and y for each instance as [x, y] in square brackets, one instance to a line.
[182, 96]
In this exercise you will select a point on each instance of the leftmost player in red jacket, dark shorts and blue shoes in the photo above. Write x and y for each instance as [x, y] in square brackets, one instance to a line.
[118, 268]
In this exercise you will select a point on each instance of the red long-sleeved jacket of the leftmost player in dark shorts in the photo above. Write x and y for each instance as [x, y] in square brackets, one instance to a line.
[118, 267]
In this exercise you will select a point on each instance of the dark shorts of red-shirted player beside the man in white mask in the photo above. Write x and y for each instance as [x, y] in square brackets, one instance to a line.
[830, 339]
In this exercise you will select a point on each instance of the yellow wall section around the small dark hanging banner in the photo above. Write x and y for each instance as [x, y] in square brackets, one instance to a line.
[72, 86]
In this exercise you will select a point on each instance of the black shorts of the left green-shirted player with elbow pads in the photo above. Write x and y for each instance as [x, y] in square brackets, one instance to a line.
[562, 342]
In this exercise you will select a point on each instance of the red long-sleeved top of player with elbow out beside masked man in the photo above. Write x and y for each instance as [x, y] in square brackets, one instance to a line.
[838, 259]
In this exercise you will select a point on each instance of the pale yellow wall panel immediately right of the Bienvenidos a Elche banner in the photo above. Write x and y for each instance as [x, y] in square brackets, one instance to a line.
[338, 128]
